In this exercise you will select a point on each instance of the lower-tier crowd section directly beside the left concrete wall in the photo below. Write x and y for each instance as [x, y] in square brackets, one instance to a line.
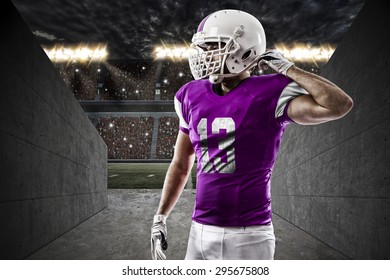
[126, 137]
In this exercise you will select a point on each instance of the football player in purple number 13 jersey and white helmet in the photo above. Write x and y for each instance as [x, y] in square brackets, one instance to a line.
[233, 123]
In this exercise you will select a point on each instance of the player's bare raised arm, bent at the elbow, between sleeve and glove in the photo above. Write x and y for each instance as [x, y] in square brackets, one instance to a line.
[325, 101]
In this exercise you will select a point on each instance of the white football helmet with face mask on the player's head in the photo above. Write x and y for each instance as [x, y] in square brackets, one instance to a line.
[240, 40]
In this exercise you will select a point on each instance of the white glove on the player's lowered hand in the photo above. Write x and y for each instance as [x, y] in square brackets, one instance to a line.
[159, 237]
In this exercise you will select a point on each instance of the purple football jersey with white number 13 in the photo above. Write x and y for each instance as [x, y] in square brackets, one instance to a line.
[236, 138]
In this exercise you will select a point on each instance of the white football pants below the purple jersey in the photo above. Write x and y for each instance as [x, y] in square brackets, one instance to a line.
[231, 243]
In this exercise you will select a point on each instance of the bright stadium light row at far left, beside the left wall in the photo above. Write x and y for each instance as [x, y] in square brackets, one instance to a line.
[80, 53]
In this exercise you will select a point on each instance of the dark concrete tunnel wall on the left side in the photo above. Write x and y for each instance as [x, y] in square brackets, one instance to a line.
[53, 162]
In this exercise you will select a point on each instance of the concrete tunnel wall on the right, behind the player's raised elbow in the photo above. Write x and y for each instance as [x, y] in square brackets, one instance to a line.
[333, 180]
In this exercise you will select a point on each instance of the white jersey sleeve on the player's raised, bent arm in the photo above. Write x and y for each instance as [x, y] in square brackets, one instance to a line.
[291, 91]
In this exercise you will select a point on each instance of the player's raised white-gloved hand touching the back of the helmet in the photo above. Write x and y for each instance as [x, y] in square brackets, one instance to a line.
[275, 60]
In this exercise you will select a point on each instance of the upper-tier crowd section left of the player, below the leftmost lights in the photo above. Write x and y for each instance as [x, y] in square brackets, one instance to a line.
[113, 80]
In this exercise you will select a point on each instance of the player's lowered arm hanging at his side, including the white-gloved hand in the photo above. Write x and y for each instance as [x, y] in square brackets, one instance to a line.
[175, 180]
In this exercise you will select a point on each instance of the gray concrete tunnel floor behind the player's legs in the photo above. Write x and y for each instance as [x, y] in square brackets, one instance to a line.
[122, 231]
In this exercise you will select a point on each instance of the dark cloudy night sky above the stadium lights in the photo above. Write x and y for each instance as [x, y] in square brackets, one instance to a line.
[131, 28]
